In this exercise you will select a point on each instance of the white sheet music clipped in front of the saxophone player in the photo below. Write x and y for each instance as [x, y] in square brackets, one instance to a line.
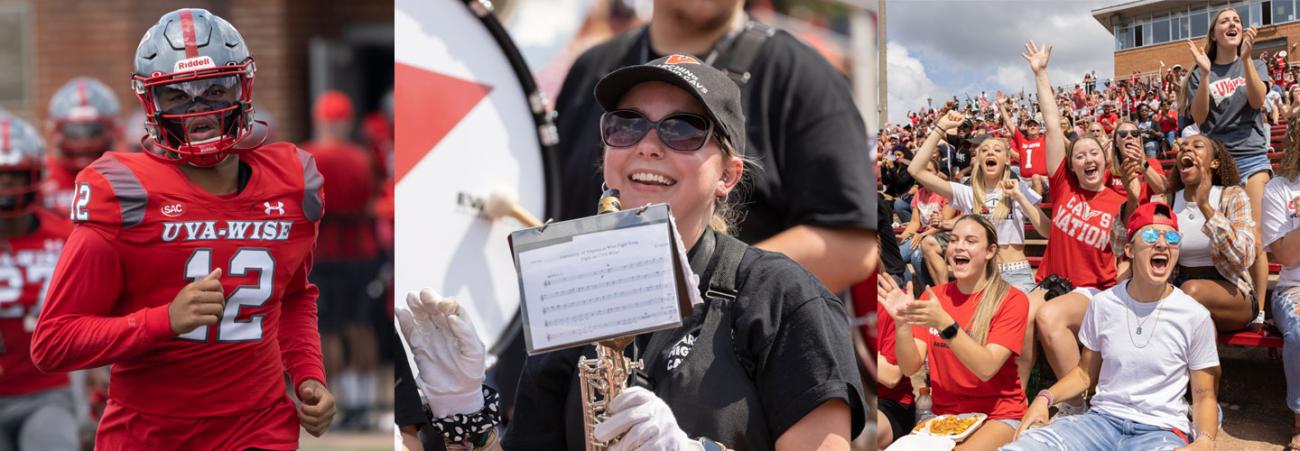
[604, 284]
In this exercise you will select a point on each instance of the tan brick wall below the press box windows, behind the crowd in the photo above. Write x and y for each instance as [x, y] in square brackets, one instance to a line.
[1147, 59]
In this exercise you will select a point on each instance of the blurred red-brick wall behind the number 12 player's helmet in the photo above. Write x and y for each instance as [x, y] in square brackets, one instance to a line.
[99, 38]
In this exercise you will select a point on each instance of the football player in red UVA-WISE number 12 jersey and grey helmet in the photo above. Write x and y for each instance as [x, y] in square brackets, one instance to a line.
[201, 249]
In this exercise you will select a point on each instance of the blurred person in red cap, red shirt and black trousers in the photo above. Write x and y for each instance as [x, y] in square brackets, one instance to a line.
[346, 257]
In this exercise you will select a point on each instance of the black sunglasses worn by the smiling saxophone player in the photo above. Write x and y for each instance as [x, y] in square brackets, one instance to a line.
[681, 132]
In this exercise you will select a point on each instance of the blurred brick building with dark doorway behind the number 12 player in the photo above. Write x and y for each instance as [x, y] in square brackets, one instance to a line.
[301, 47]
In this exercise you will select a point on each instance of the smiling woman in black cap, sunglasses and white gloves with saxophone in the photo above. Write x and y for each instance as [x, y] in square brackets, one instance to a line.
[772, 368]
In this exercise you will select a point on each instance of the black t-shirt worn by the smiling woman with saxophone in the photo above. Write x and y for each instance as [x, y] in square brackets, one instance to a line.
[783, 320]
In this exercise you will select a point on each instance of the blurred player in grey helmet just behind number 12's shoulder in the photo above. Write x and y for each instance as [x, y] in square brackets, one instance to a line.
[84, 124]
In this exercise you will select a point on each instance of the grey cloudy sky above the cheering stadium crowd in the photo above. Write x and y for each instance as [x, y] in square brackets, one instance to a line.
[952, 47]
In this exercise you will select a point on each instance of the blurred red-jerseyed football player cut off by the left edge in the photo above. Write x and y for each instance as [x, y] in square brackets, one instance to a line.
[37, 410]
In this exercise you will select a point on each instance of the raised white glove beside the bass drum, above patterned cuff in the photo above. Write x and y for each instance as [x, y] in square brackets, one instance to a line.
[447, 352]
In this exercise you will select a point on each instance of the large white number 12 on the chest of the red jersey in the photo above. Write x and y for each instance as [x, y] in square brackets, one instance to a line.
[246, 259]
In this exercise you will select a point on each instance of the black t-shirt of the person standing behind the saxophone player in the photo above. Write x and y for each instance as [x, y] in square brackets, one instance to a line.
[803, 128]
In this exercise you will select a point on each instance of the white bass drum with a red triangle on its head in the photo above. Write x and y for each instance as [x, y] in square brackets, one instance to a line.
[470, 123]
